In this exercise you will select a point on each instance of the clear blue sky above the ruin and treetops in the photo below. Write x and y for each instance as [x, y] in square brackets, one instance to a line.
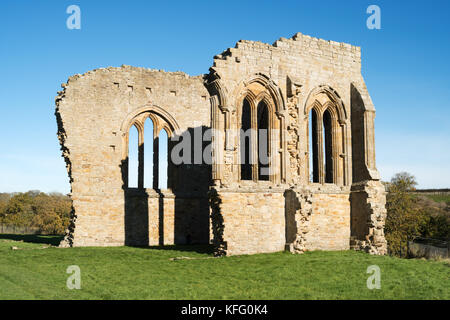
[405, 65]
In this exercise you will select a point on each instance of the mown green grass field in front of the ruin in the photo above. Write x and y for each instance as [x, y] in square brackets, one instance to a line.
[36, 272]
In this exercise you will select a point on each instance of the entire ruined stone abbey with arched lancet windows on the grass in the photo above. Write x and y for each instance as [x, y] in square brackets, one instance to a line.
[302, 102]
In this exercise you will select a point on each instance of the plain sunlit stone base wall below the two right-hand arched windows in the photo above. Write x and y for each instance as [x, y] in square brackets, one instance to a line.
[256, 221]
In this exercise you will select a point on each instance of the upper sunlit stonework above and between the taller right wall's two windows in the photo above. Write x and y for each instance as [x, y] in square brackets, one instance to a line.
[297, 66]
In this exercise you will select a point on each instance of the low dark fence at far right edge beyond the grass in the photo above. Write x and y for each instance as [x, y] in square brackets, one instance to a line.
[429, 248]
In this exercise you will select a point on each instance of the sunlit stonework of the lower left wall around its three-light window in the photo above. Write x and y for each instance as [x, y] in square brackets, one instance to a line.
[94, 112]
